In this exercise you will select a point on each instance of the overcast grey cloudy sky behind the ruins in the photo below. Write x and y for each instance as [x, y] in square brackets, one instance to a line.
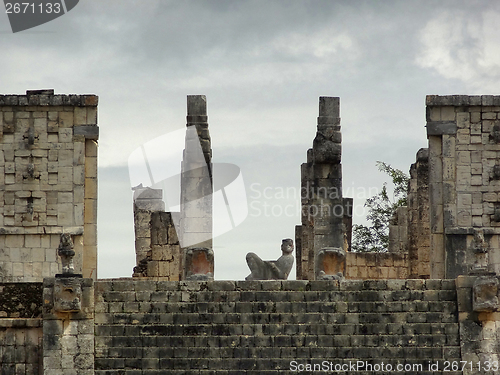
[262, 65]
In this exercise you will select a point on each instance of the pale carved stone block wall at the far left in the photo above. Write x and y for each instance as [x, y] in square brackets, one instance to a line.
[48, 174]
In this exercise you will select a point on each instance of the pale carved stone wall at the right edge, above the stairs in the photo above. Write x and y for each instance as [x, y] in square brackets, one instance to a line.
[464, 180]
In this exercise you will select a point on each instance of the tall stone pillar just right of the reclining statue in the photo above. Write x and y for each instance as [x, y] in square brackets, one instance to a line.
[322, 234]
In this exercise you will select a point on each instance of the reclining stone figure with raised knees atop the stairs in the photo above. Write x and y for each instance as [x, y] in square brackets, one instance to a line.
[271, 269]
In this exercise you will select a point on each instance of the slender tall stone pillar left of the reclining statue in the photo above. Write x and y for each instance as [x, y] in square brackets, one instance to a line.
[196, 193]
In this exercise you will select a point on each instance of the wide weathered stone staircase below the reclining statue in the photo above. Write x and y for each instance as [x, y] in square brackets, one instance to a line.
[275, 327]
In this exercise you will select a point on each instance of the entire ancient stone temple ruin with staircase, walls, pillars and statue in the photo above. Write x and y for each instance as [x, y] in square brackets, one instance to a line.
[429, 305]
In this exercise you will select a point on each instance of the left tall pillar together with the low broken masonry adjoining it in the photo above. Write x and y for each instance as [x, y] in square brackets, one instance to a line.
[162, 250]
